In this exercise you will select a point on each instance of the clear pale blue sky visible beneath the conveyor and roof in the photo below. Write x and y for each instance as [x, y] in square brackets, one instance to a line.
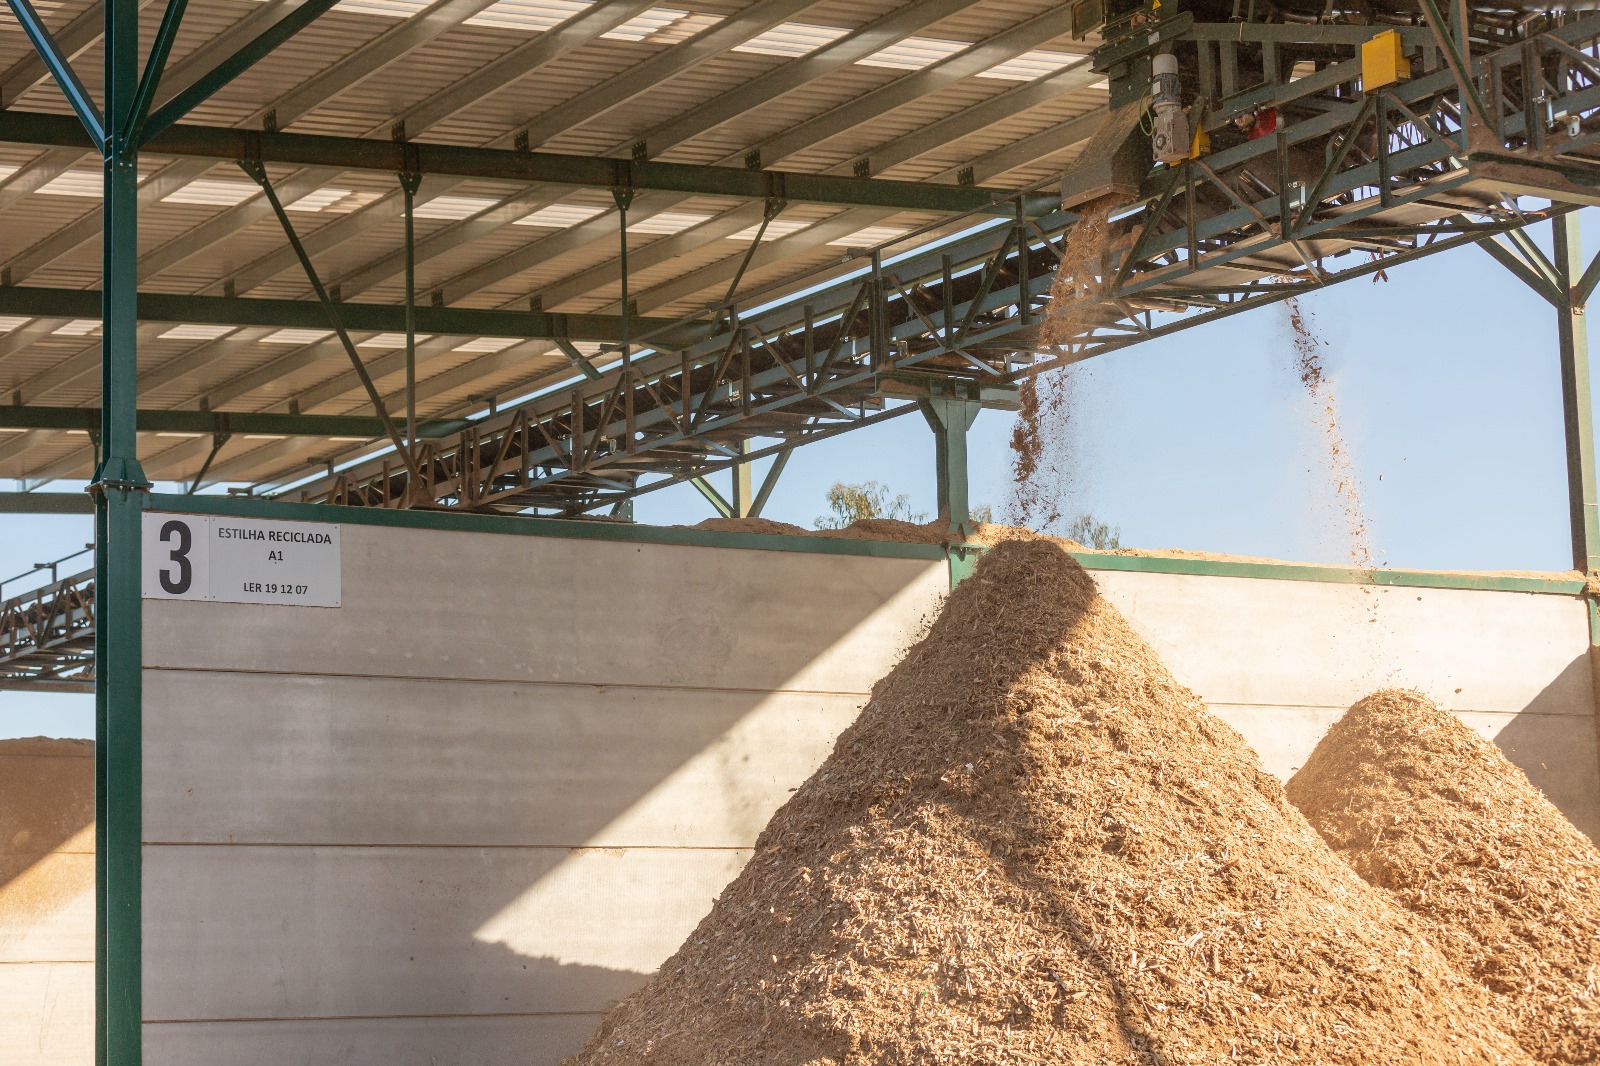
[1449, 398]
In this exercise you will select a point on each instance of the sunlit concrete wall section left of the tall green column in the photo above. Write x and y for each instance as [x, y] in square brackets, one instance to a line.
[47, 904]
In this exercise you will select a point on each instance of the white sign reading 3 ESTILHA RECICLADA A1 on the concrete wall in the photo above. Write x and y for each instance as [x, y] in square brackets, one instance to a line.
[242, 561]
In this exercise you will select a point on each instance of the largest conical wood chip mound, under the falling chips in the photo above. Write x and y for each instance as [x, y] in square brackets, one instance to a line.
[1036, 848]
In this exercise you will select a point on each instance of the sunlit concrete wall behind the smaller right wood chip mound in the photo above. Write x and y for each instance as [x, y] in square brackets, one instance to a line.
[1282, 660]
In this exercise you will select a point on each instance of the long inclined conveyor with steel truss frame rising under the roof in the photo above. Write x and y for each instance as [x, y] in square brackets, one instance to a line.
[1404, 178]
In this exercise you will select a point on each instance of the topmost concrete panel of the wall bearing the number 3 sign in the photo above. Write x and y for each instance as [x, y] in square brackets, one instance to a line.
[490, 607]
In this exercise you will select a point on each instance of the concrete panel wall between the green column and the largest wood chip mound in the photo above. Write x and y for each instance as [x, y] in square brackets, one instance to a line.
[457, 819]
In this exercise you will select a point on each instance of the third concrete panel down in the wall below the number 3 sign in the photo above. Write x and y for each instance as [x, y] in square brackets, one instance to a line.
[417, 932]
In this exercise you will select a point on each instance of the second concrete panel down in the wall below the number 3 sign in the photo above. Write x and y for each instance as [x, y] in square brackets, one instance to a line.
[510, 764]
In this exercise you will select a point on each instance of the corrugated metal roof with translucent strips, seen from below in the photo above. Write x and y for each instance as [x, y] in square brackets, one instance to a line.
[356, 234]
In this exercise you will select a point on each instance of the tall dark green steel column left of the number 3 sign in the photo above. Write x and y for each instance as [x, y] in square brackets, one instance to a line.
[119, 499]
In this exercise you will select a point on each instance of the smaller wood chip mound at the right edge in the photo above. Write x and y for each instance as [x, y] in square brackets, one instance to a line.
[1428, 811]
